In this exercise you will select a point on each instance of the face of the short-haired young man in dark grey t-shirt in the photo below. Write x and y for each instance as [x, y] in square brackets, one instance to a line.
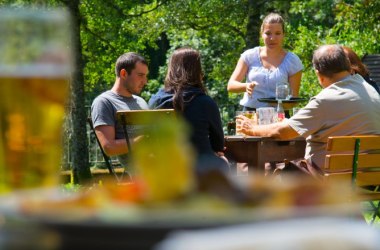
[135, 81]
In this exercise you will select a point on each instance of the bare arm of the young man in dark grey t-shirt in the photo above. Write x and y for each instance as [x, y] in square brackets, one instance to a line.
[110, 145]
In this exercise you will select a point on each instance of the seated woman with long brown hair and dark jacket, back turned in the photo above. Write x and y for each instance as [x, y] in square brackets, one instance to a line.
[185, 92]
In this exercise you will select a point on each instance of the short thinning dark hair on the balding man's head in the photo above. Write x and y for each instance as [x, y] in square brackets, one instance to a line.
[330, 59]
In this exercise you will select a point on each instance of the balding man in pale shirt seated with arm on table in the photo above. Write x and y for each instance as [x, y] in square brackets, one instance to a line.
[347, 105]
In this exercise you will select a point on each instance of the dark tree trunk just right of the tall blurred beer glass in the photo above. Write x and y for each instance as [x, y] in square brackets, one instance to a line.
[80, 156]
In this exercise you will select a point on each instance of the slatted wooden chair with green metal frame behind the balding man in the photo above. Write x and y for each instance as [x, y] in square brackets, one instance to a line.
[356, 160]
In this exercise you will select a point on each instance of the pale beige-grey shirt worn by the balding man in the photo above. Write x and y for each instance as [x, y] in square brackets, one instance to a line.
[348, 107]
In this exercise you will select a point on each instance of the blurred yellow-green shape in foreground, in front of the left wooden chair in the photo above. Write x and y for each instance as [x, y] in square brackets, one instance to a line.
[164, 159]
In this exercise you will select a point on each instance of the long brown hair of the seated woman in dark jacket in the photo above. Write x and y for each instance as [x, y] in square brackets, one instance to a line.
[184, 70]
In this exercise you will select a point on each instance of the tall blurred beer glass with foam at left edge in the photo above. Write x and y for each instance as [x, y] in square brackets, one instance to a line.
[35, 67]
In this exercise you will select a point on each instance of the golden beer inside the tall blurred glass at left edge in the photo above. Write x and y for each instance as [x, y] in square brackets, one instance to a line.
[31, 118]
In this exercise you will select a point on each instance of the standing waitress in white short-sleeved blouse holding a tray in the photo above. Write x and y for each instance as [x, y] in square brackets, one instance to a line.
[264, 66]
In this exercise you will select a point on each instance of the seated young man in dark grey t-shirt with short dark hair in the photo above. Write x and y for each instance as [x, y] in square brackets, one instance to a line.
[131, 76]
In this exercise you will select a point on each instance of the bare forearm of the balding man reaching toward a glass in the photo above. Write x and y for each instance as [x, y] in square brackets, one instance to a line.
[279, 130]
